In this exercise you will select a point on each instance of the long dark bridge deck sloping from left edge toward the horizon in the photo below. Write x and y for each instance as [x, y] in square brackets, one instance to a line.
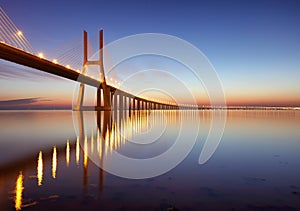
[18, 56]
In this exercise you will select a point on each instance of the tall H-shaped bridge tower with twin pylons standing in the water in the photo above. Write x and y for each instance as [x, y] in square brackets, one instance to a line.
[103, 85]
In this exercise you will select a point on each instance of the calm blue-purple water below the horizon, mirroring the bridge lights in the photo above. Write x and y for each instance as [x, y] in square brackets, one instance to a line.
[47, 161]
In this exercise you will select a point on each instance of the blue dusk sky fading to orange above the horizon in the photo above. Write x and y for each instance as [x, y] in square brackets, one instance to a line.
[253, 46]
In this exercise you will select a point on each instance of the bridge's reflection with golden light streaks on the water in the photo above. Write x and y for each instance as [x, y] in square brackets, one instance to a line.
[111, 132]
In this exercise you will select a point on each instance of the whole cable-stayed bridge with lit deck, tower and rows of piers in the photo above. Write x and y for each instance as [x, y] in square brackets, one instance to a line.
[109, 97]
